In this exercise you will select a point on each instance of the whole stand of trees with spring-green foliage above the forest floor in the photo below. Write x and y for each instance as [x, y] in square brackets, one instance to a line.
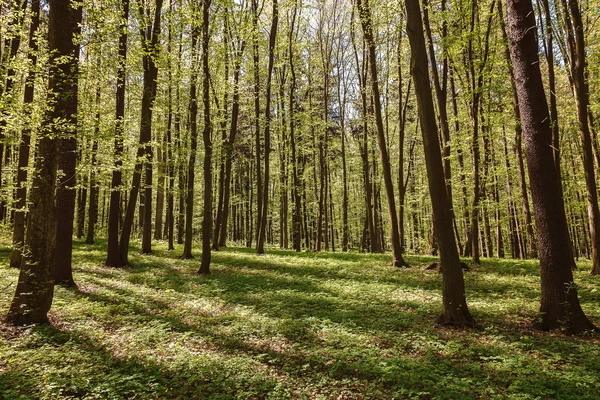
[309, 113]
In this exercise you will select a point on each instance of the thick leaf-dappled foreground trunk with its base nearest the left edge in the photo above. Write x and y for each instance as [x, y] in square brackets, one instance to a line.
[35, 288]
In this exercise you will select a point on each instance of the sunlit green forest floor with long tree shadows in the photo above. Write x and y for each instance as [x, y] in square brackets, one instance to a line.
[287, 325]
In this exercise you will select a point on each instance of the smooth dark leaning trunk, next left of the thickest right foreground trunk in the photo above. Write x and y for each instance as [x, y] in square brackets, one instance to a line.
[455, 311]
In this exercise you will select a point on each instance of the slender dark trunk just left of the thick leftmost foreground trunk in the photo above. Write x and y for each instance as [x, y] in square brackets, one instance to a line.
[18, 238]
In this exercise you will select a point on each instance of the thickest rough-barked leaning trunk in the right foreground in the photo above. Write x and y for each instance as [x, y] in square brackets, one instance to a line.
[560, 306]
